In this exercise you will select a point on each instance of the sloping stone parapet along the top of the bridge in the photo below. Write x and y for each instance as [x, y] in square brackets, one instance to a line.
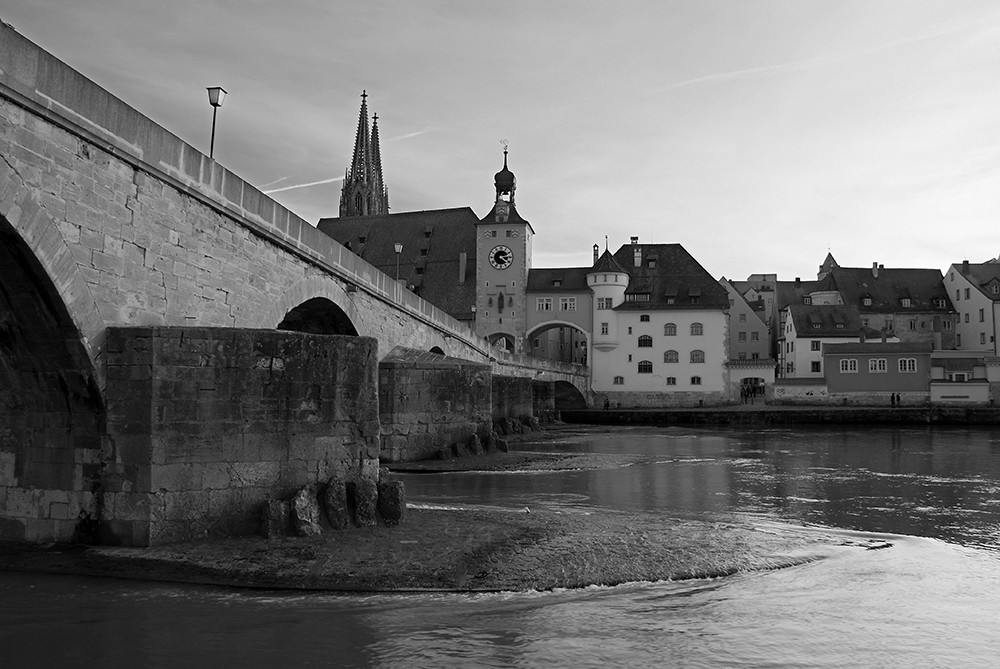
[36, 81]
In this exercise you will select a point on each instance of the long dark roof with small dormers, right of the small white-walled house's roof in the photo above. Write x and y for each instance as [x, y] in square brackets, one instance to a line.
[888, 287]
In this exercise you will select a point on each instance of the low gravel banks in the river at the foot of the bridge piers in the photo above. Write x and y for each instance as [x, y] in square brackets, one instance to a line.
[469, 549]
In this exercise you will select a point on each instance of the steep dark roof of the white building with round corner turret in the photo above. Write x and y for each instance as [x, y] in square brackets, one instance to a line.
[675, 281]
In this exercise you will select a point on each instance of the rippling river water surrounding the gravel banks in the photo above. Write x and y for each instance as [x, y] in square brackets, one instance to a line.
[932, 599]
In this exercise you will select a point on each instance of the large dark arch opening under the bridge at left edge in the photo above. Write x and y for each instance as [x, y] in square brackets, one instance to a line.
[52, 411]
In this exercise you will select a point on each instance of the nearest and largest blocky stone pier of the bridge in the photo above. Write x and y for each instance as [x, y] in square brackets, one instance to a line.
[205, 424]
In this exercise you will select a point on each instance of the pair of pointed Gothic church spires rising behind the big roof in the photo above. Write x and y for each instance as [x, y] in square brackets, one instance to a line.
[364, 192]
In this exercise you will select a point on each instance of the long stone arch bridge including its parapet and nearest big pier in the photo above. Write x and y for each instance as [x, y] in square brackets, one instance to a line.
[129, 261]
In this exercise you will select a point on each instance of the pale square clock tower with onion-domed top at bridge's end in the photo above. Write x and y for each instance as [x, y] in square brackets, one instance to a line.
[503, 258]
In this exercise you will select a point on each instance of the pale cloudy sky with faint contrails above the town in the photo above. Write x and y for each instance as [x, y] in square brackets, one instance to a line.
[759, 134]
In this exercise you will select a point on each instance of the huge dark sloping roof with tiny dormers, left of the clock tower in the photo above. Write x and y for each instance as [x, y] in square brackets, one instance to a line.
[430, 261]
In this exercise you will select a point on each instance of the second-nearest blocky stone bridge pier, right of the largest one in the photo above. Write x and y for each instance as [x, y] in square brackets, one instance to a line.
[427, 403]
